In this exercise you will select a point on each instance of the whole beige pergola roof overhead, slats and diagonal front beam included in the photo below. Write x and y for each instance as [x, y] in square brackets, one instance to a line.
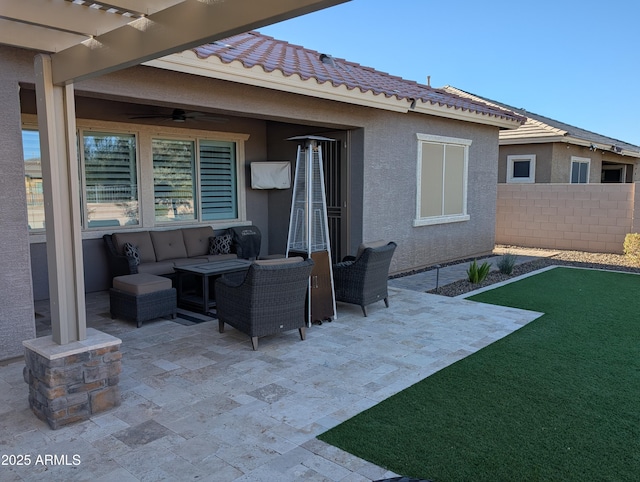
[87, 38]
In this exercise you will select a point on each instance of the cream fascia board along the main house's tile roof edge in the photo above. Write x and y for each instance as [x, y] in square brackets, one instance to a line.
[213, 67]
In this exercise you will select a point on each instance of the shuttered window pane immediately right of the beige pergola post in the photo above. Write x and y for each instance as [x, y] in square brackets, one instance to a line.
[110, 179]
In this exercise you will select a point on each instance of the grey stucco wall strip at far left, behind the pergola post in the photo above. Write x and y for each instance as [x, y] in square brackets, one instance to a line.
[16, 298]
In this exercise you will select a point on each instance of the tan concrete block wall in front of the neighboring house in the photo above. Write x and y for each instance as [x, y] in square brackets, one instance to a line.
[581, 217]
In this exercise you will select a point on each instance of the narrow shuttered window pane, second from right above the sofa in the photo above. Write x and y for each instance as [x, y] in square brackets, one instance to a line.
[173, 177]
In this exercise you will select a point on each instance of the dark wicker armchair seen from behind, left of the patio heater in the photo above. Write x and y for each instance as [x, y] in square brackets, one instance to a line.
[269, 299]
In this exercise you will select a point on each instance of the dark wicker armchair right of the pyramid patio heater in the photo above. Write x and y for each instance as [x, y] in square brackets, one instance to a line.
[362, 280]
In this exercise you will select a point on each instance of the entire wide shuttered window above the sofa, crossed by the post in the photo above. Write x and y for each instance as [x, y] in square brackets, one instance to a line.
[187, 179]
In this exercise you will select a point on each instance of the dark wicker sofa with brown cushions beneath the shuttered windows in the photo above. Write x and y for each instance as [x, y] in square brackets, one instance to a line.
[160, 251]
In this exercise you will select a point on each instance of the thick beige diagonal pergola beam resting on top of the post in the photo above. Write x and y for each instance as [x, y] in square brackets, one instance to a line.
[182, 26]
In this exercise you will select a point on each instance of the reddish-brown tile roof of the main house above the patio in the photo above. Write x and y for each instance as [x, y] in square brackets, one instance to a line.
[253, 49]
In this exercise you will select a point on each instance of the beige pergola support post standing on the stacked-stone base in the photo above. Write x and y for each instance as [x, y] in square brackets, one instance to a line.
[57, 125]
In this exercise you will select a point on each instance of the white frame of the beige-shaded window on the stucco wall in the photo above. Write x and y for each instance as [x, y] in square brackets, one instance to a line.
[445, 218]
